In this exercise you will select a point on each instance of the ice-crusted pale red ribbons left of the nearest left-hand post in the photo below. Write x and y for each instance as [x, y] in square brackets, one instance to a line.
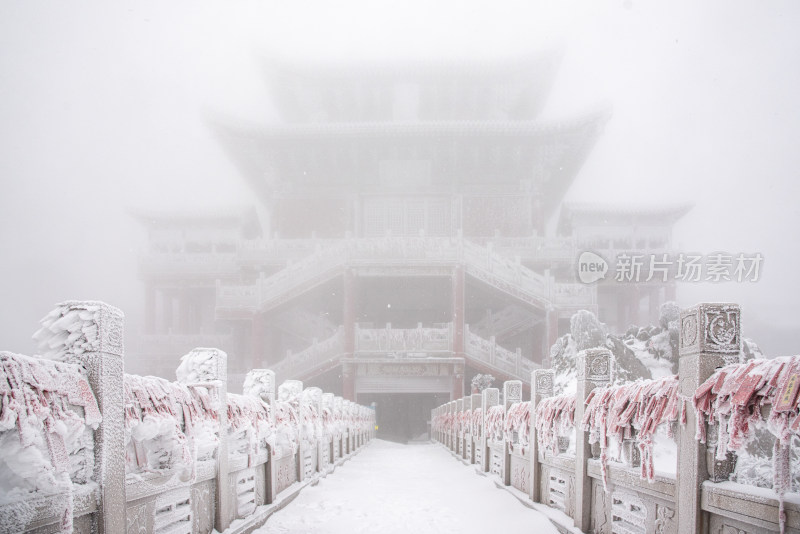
[47, 414]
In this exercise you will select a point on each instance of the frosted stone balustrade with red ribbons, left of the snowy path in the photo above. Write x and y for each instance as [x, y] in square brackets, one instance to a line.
[149, 455]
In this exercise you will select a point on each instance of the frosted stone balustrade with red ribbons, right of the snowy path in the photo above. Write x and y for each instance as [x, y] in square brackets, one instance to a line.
[590, 455]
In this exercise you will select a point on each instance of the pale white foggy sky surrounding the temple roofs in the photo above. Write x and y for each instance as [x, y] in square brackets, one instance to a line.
[107, 106]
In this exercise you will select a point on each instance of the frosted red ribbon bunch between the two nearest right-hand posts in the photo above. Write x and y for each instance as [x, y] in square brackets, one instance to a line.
[631, 412]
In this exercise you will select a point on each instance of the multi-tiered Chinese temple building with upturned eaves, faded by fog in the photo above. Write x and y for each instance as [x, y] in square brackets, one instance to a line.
[398, 241]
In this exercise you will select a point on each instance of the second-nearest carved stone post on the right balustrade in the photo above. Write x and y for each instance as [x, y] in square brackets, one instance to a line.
[594, 369]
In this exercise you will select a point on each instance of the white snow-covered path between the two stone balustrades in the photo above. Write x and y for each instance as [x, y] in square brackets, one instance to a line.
[390, 488]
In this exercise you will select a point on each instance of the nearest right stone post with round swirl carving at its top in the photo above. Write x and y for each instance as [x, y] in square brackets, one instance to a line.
[708, 334]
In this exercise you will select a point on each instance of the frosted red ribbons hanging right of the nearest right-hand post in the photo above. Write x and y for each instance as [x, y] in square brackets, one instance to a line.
[739, 399]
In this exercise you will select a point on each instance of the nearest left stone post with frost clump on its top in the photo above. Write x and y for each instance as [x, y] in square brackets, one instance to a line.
[104, 362]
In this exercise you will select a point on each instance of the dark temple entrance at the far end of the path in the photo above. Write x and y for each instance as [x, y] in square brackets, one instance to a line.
[403, 417]
